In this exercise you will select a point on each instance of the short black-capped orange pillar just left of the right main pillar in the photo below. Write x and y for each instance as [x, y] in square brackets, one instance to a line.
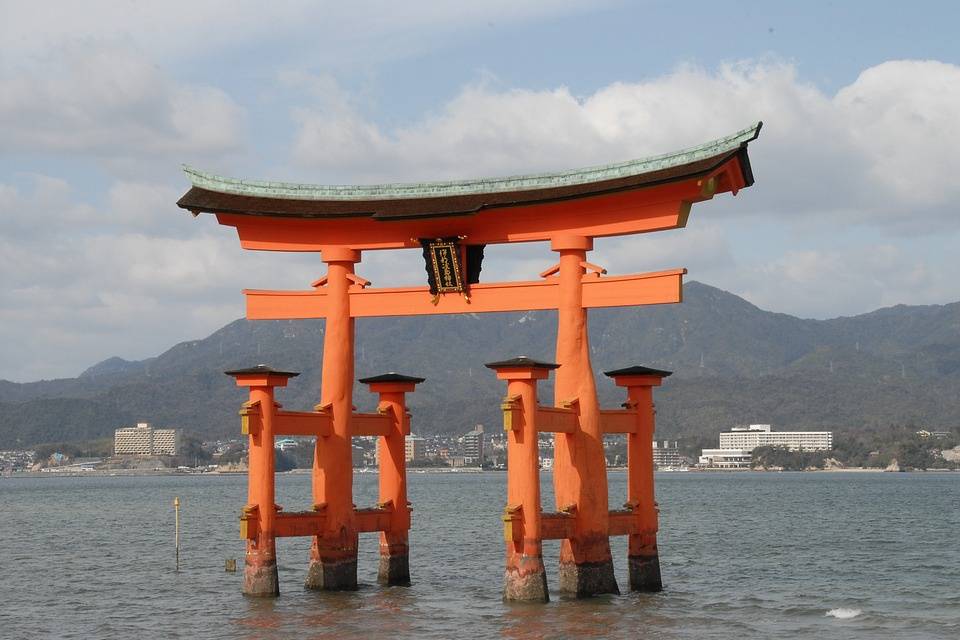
[525, 579]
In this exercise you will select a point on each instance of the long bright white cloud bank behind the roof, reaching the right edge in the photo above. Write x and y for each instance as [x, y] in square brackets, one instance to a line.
[879, 151]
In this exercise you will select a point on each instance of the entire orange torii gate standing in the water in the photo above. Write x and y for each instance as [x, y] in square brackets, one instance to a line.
[451, 222]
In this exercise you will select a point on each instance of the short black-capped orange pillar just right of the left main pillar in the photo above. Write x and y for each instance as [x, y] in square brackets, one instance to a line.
[394, 542]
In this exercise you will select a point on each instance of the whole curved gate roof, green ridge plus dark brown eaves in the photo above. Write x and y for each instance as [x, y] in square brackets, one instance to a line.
[216, 194]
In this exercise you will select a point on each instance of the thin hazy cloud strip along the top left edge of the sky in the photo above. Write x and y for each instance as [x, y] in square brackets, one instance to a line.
[370, 30]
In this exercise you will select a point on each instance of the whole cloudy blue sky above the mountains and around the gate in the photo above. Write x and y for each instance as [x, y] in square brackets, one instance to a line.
[101, 102]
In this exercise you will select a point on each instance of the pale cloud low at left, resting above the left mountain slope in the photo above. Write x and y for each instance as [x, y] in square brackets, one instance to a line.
[131, 277]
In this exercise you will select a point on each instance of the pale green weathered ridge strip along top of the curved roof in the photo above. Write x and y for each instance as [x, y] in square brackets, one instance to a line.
[393, 191]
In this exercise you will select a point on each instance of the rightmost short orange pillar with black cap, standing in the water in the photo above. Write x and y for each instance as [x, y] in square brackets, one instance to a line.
[643, 557]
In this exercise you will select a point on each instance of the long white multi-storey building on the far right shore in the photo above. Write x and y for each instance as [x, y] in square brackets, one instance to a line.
[737, 445]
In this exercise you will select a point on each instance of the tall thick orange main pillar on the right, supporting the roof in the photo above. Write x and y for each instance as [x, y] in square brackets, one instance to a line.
[580, 469]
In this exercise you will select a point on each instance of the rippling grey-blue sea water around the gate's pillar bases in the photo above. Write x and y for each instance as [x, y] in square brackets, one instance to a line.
[743, 555]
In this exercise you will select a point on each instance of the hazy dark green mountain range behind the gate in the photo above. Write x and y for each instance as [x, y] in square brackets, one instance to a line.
[733, 363]
